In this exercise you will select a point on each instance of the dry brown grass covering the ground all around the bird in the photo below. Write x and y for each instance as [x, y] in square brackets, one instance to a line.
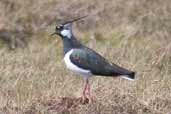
[34, 80]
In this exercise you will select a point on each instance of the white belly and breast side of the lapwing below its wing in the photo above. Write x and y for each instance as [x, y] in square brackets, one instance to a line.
[73, 67]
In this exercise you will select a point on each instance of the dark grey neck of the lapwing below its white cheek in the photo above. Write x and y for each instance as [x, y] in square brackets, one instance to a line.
[70, 43]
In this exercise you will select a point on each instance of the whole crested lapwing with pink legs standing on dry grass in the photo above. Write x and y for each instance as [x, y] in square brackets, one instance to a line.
[85, 61]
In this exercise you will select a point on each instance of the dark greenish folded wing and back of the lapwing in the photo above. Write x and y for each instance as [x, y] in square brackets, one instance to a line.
[88, 59]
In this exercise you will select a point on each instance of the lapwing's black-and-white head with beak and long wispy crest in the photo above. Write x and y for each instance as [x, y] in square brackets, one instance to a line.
[65, 29]
